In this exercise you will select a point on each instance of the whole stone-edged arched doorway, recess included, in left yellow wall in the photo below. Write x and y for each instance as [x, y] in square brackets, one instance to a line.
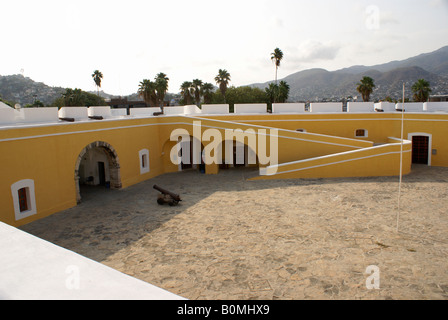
[97, 165]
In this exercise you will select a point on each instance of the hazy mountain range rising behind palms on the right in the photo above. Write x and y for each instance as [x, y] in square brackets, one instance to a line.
[320, 84]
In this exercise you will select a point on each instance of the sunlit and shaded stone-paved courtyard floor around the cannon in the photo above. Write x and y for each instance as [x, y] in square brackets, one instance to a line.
[235, 239]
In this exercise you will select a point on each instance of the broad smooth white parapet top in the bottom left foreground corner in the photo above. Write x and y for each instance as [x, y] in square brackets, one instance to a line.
[34, 269]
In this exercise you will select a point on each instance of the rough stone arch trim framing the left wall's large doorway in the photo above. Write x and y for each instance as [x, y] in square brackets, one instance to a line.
[113, 162]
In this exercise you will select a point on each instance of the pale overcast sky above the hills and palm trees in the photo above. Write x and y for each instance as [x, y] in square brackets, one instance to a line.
[61, 42]
